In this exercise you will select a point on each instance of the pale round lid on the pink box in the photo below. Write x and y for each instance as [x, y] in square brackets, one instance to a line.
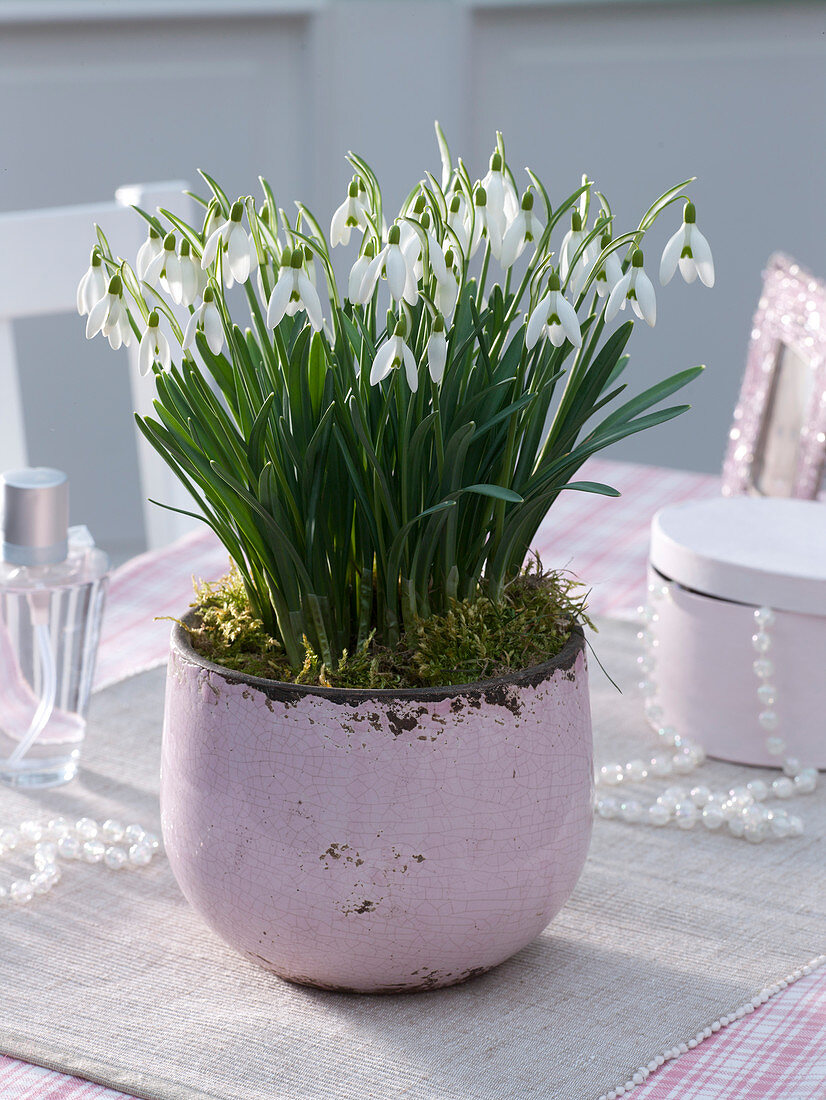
[766, 552]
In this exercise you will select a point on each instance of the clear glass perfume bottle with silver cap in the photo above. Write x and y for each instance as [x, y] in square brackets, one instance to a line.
[53, 582]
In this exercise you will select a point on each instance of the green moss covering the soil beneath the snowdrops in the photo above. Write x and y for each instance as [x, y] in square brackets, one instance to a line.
[477, 640]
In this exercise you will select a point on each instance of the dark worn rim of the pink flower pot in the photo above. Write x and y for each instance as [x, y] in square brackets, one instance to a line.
[284, 691]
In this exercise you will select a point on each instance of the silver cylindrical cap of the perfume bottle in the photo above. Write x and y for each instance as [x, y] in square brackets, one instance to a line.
[36, 516]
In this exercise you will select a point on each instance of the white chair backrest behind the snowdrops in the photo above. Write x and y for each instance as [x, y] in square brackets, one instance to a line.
[30, 289]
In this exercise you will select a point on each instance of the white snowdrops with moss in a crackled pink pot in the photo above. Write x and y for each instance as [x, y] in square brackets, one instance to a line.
[377, 768]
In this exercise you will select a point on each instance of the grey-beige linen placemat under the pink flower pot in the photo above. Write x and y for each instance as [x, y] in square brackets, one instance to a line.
[114, 978]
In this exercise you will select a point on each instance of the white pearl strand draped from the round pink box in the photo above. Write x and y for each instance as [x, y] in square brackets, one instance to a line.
[741, 808]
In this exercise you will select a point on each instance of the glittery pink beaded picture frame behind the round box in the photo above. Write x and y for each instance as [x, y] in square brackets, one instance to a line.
[777, 445]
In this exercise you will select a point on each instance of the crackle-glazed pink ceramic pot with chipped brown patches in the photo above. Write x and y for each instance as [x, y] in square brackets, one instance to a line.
[377, 841]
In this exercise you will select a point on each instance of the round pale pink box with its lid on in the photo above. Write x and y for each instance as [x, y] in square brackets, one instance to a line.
[719, 562]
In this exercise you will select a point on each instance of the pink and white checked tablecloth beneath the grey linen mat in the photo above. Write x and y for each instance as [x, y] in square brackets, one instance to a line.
[777, 1053]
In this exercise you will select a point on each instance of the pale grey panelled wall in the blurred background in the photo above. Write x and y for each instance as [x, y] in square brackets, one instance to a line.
[638, 95]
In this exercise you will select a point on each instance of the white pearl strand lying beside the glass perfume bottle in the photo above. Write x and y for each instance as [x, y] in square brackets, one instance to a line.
[117, 846]
